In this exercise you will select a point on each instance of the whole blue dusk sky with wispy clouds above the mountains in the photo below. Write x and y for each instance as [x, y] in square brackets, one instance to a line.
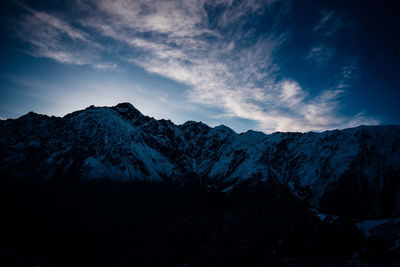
[273, 65]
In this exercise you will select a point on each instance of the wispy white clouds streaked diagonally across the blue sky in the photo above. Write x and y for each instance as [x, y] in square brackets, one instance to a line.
[220, 56]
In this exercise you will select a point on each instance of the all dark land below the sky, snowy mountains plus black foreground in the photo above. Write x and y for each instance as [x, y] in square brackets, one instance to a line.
[109, 185]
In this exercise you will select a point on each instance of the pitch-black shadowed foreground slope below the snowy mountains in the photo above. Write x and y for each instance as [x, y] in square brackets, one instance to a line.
[105, 223]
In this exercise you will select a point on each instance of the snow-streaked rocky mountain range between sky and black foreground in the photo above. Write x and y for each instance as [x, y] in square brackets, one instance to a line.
[358, 167]
